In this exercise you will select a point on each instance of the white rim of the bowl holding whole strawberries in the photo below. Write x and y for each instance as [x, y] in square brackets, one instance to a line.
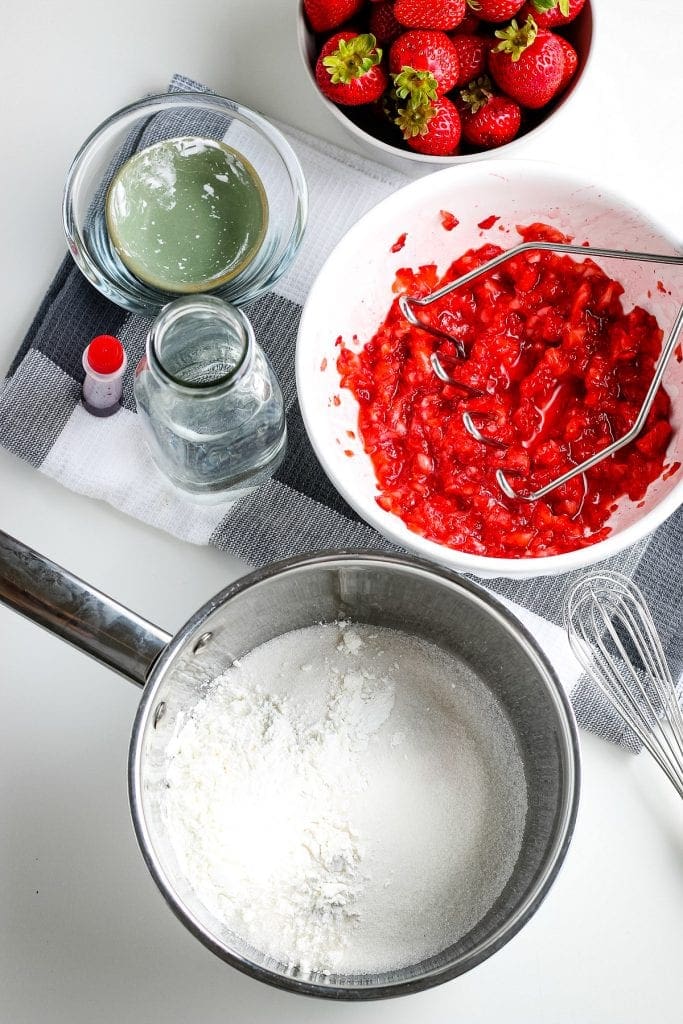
[305, 34]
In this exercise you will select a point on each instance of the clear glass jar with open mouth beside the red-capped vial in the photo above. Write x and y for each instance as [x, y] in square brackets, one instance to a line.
[209, 400]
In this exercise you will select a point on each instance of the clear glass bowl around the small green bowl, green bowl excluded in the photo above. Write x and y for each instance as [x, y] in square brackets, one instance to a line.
[165, 117]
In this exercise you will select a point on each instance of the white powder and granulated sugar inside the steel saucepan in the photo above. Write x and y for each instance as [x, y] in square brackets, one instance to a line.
[347, 799]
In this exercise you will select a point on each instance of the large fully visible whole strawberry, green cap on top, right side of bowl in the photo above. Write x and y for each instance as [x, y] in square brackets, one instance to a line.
[528, 64]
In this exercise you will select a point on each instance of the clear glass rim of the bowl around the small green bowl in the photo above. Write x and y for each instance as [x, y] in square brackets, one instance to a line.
[153, 104]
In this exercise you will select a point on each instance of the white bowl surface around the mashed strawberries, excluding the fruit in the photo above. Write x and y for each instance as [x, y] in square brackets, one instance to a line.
[353, 295]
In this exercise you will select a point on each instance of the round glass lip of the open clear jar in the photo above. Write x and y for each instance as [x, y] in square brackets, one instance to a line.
[223, 311]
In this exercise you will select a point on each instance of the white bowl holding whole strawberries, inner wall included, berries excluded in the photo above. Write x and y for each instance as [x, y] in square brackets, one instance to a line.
[580, 33]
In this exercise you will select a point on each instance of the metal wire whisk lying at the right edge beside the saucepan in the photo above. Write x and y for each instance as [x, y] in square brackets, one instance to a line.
[612, 633]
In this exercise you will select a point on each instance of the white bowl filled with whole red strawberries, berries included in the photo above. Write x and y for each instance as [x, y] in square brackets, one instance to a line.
[445, 81]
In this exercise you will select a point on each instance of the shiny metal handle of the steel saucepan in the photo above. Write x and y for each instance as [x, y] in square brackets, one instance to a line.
[71, 609]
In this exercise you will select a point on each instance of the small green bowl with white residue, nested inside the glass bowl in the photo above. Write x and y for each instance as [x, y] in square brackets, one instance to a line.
[187, 215]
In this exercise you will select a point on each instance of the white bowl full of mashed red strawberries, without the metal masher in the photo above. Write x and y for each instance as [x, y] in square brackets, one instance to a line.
[551, 356]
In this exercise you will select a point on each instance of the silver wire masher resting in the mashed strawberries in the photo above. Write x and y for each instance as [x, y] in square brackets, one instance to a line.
[408, 303]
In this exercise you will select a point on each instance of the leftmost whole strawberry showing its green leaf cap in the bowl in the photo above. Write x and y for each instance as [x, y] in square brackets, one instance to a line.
[349, 70]
